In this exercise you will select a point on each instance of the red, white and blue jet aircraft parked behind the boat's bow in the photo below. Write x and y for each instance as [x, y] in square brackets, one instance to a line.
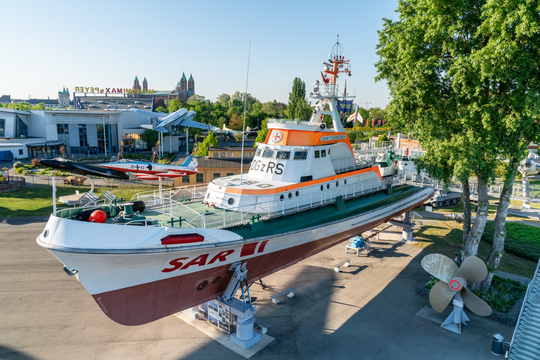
[154, 171]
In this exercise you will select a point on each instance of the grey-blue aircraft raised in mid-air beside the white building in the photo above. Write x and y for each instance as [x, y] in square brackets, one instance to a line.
[182, 117]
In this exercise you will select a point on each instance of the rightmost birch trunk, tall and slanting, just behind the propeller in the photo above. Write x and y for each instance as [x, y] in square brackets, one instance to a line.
[499, 233]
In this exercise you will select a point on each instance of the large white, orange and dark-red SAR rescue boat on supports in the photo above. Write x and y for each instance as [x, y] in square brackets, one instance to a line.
[304, 193]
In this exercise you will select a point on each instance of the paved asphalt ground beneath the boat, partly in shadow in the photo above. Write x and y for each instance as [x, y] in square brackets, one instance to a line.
[367, 311]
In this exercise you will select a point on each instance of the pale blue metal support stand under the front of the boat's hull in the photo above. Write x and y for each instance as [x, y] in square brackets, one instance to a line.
[245, 337]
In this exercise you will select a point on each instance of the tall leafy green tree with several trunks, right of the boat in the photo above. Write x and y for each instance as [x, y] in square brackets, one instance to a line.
[464, 77]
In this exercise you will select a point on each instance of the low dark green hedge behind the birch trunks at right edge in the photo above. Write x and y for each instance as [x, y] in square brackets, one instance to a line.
[521, 240]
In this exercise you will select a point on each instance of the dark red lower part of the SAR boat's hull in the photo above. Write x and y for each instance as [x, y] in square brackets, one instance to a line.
[141, 304]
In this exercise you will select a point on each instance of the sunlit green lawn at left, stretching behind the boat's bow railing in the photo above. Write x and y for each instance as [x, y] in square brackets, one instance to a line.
[37, 200]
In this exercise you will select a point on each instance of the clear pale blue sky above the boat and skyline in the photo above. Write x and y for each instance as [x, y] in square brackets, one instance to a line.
[51, 44]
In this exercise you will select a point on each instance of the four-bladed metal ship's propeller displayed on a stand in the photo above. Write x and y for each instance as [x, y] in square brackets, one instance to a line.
[453, 279]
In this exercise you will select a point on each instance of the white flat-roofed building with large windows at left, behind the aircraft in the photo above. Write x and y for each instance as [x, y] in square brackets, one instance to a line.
[41, 133]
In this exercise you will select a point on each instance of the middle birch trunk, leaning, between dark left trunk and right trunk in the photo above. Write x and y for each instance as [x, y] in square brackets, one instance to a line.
[472, 241]
